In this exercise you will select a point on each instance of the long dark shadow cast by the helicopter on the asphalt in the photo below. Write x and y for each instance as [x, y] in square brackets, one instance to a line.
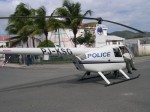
[64, 82]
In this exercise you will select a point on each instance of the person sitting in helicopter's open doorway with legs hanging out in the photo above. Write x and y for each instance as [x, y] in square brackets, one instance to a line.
[128, 59]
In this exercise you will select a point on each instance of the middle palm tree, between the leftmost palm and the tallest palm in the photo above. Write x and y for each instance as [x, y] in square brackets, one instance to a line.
[43, 25]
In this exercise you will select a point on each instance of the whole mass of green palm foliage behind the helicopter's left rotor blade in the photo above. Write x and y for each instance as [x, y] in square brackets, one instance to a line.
[29, 27]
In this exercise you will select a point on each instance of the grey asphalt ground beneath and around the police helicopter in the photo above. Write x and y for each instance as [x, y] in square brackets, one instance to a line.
[56, 88]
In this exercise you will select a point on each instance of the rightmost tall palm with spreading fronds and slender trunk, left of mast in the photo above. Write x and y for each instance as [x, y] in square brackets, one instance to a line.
[71, 9]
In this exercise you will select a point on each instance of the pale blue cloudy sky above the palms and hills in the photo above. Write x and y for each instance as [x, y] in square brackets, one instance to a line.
[135, 13]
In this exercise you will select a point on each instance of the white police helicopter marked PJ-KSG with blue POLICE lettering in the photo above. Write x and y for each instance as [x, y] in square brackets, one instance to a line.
[100, 59]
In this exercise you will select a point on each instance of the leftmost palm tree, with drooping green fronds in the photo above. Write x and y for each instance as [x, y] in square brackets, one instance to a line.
[15, 25]
